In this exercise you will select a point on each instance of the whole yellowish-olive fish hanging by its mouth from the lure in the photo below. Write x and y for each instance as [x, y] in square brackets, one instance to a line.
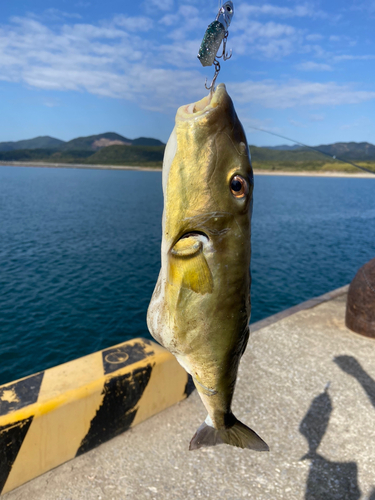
[200, 308]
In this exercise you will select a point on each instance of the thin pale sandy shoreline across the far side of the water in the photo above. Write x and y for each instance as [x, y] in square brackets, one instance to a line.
[306, 173]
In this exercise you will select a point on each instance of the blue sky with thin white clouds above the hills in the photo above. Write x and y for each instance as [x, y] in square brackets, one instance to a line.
[73, 68]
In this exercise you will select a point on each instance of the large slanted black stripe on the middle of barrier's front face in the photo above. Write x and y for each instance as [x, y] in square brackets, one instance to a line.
[118, 409]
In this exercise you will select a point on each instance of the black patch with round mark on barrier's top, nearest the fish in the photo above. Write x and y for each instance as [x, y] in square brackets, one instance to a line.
[124, 355]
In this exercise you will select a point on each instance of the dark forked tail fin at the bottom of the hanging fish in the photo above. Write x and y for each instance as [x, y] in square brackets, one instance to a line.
[238, 435]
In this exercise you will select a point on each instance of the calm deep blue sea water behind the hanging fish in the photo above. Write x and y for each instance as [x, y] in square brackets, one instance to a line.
[80, 254]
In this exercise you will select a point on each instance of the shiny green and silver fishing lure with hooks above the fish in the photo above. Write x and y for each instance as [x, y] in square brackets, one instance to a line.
[216, 33]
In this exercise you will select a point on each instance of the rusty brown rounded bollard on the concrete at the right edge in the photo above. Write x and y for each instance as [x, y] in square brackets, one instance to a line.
[360, 307]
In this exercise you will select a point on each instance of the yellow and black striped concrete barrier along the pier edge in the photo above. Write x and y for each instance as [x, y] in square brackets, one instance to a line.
[56, 415]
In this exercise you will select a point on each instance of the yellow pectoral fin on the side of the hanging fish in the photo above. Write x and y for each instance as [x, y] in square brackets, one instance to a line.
[188, 267]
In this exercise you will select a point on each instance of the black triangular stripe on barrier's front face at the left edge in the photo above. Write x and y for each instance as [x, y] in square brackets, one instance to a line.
[11, 439]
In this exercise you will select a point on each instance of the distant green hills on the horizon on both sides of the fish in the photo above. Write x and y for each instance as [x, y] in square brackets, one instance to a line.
[113, 149]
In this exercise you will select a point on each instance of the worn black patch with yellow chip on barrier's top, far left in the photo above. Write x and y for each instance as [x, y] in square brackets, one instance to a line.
[20, 394]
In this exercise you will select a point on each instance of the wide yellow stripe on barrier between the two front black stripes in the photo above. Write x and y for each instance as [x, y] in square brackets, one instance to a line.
[62, 418]
